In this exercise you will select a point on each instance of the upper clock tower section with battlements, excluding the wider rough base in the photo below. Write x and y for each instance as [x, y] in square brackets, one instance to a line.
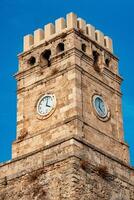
[69, 86]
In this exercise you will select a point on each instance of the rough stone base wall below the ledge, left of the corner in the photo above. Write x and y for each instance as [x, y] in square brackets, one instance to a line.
[53, 182]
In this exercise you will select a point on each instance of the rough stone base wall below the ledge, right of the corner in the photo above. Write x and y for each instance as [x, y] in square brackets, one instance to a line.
[91, 183]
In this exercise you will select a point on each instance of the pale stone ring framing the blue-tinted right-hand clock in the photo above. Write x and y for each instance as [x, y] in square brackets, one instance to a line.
[107, 115]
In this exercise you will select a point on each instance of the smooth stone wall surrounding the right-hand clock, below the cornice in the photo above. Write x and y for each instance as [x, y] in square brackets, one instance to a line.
[107, 135]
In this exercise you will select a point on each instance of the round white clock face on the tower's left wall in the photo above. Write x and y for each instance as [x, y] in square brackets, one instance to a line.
[46, 104]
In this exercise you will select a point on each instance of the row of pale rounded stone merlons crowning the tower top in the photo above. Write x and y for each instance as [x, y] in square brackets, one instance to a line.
[61, 26]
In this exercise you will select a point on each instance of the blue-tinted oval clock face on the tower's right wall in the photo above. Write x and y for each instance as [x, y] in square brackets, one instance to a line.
[100, 106]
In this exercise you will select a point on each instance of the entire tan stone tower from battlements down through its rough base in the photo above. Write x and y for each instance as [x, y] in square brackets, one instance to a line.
[69, 142]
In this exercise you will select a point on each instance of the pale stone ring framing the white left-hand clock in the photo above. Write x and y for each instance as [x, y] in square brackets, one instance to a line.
[45, 116]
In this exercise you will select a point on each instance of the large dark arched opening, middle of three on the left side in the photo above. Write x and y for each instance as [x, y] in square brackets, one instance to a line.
[45, 58]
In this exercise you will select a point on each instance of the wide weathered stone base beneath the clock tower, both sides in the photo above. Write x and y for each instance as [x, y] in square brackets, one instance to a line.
[70, 170]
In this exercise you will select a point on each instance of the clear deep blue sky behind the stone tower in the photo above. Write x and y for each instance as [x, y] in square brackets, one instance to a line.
[19, 17]
